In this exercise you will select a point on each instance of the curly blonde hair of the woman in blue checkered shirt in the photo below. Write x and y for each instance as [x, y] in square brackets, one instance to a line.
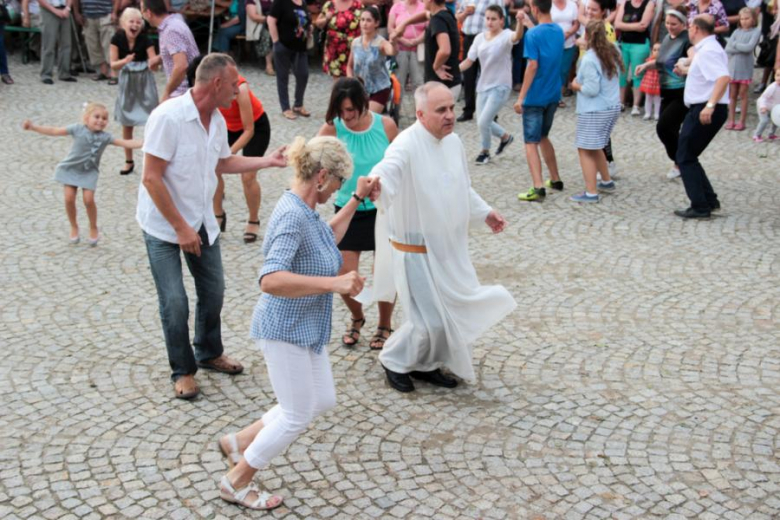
[324, 152]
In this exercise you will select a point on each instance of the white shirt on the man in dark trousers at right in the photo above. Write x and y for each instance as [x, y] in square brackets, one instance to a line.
[710, 62]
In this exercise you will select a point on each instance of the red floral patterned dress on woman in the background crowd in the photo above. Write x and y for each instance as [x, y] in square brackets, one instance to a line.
[342, 28]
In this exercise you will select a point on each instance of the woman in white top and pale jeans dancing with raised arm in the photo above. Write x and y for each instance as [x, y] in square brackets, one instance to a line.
[493, 49]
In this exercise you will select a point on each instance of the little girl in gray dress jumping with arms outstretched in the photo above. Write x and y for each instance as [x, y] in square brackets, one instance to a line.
[80, 168]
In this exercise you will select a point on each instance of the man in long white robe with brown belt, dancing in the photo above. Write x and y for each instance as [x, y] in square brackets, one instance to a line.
[425, 189]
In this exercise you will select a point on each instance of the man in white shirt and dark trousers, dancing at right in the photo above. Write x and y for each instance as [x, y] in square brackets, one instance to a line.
[706, 96]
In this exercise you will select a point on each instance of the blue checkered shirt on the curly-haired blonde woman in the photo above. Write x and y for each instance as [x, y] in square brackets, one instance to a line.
[298, 241]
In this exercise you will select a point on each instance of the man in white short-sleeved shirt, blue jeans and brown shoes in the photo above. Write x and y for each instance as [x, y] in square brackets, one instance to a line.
[185, 146]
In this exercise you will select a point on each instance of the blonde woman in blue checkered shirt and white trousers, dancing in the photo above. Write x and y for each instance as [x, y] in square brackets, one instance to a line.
[292, 319]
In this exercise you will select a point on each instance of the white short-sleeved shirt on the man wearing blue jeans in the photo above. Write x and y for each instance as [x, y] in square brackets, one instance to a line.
[175, 134]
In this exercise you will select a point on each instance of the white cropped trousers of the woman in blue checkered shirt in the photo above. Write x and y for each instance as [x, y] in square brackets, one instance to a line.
[303, 384]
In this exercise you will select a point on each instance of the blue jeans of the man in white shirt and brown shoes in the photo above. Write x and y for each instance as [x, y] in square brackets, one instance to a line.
[206, 270]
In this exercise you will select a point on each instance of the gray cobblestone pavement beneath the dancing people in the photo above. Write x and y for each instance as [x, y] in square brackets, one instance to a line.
[638, 378]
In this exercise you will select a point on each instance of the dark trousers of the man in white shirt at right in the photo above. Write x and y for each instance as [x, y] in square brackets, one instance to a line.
[694, 139]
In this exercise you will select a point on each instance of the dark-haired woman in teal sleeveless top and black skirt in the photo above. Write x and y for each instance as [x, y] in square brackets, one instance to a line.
[366, 136]
